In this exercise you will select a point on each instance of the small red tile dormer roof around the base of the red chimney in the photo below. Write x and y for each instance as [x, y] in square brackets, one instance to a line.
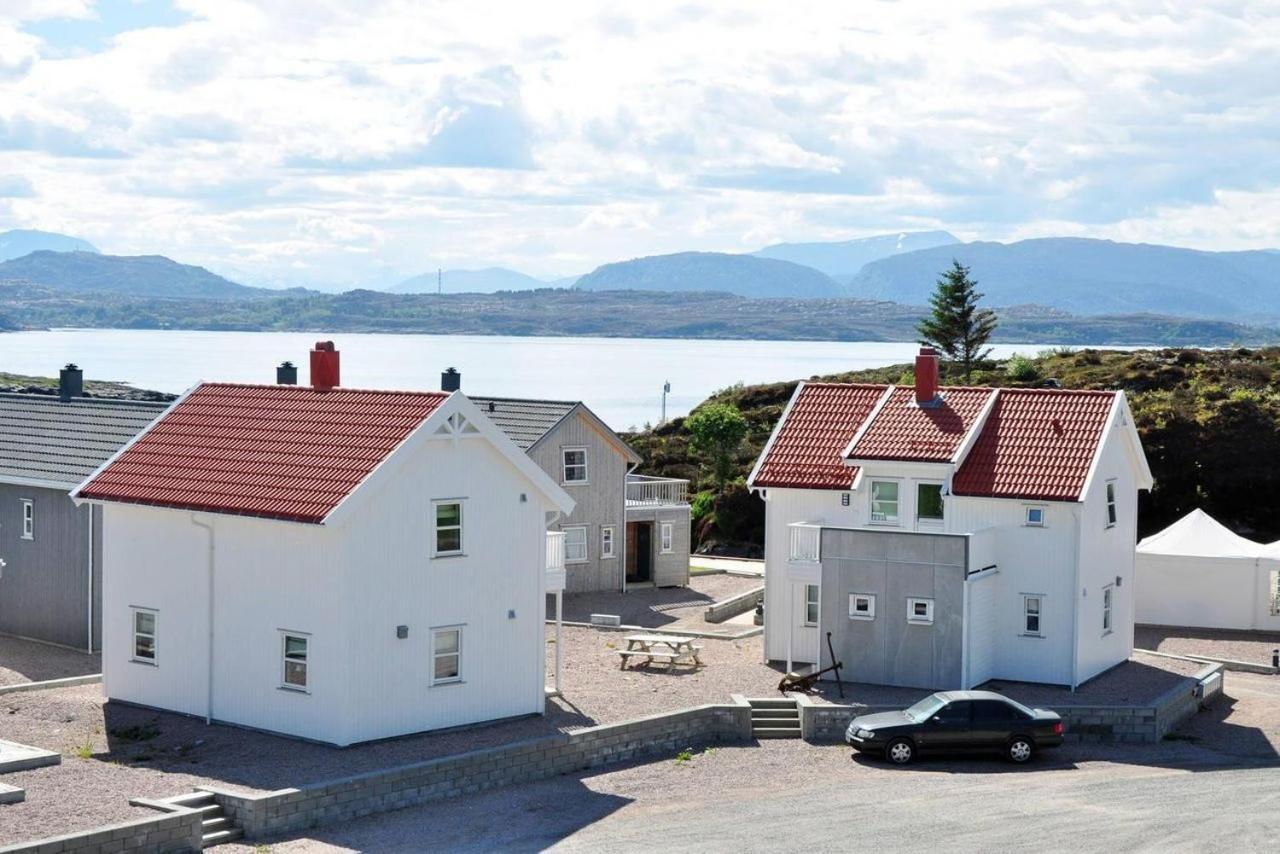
[903, 431]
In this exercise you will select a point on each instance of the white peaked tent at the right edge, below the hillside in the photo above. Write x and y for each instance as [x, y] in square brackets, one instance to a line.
[1197, 573]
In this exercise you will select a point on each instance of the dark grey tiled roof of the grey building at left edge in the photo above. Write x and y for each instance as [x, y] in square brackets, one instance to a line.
[42, 439]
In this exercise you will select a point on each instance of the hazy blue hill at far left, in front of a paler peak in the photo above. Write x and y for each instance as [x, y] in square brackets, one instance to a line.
[144, 276]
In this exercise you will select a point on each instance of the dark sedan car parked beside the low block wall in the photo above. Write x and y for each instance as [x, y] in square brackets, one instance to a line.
[957, 723]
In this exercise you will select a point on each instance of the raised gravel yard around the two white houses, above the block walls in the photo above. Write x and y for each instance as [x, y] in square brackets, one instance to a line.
[118, 752]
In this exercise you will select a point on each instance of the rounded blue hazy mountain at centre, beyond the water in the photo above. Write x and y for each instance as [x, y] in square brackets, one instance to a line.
[743, 275]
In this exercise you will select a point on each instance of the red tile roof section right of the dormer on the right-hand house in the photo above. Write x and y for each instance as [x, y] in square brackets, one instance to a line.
[1037, 445]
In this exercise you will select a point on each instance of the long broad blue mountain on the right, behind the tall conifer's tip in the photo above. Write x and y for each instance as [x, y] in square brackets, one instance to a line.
[1090, 277]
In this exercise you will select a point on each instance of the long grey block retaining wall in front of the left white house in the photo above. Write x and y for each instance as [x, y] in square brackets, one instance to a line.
[291, 810]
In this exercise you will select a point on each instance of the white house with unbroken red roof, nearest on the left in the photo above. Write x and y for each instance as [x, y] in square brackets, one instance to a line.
[324, 563]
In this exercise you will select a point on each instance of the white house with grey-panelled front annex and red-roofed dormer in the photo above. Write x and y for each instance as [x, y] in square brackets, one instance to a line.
[950, 536]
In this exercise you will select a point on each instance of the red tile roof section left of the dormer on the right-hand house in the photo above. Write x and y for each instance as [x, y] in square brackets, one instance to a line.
[807, 453]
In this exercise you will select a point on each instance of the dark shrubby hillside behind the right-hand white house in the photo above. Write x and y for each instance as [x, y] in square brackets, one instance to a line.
[1210, 423]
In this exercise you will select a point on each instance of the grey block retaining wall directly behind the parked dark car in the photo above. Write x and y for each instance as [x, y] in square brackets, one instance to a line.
[1150, 723]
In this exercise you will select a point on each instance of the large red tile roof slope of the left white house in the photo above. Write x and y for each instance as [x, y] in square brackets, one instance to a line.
[276, 451]
